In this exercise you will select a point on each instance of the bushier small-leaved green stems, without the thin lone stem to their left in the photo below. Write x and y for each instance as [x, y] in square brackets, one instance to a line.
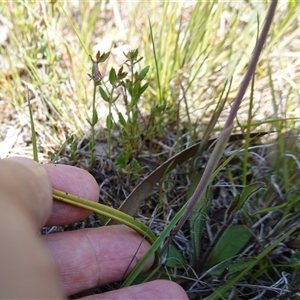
[130, 86]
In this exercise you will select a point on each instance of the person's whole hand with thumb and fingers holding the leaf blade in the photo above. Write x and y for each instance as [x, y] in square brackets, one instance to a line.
[62, 264]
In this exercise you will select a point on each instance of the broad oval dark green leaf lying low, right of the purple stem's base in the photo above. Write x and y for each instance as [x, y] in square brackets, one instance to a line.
[233, 240]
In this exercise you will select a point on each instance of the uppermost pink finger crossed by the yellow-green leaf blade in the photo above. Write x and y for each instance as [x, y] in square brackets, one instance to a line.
[73, 181]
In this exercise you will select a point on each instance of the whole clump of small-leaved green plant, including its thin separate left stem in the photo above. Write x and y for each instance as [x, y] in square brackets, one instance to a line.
[129, 86]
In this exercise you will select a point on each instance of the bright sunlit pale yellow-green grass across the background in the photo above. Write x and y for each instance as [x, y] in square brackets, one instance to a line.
[197, 48]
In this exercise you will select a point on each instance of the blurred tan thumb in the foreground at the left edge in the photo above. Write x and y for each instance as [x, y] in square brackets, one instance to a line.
[25, 202]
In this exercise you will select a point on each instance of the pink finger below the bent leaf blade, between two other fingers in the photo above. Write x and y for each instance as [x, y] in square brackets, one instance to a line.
[89, 258]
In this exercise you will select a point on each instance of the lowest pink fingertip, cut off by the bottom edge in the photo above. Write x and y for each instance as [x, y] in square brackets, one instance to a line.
[158, 289]
